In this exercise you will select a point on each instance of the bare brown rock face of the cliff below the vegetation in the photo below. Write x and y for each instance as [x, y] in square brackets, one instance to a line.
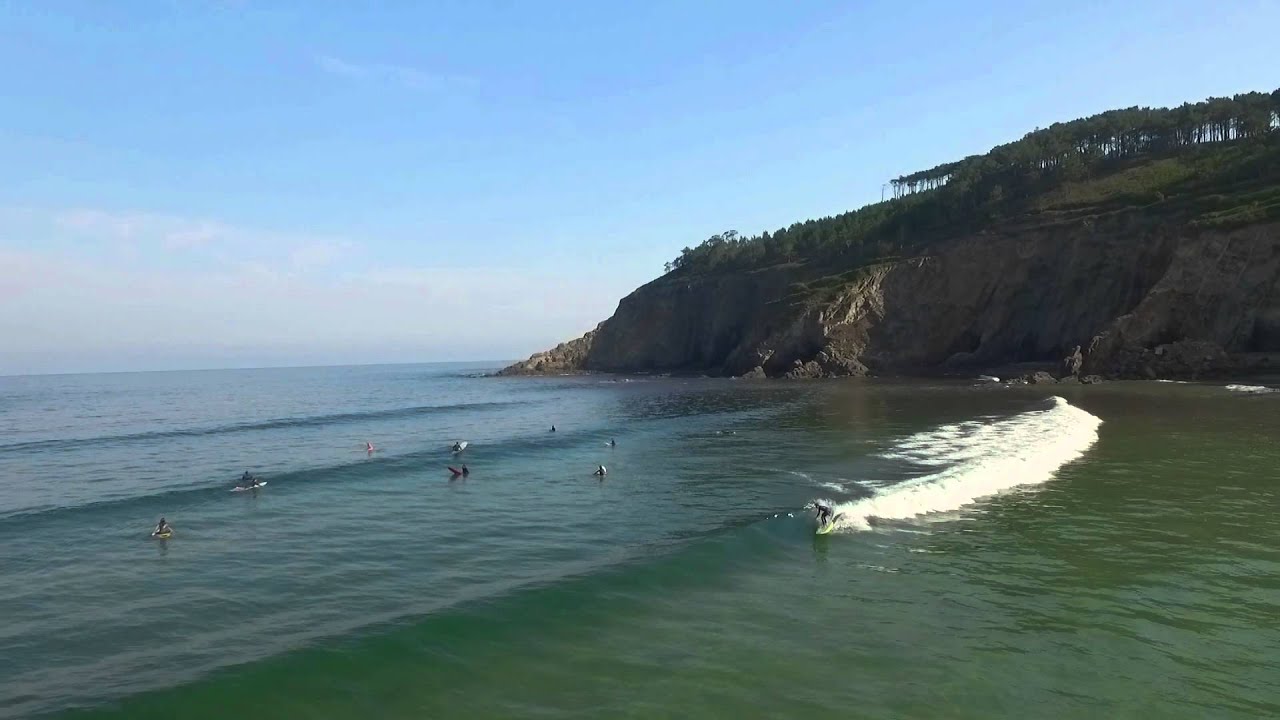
[1141, 300]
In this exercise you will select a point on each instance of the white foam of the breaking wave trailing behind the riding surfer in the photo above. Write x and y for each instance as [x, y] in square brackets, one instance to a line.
[981, 459]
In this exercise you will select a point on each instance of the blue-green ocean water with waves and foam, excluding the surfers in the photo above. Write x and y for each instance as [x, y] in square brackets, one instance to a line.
[1072, 552]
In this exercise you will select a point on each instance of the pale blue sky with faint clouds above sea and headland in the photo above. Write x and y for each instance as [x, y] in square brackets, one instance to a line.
[253, 184]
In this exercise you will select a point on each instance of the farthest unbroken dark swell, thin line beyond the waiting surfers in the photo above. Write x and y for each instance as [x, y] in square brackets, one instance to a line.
[277, 423]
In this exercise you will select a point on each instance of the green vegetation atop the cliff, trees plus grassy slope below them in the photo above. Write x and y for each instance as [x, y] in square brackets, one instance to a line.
[1213, 163]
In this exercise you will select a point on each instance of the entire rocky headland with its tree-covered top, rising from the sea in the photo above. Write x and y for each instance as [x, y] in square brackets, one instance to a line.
[1159, 262]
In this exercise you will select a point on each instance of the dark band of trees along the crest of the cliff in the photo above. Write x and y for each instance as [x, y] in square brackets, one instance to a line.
[980, 189]
